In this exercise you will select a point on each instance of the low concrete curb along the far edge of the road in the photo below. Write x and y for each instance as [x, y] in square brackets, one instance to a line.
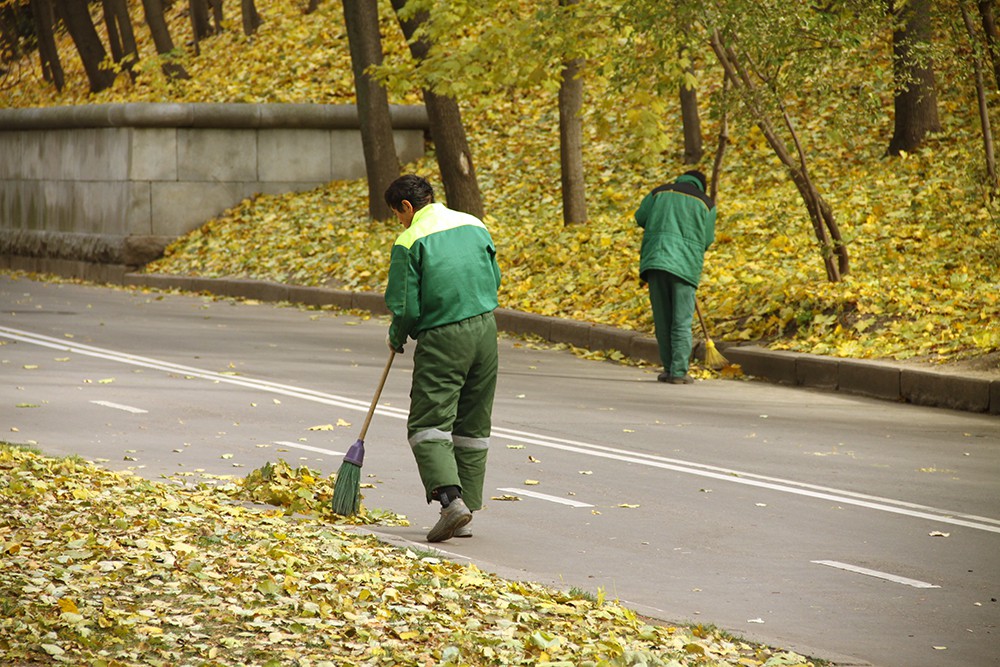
[873, 379]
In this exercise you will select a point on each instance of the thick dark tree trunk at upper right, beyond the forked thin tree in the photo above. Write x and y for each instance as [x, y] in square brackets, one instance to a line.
[915, 100]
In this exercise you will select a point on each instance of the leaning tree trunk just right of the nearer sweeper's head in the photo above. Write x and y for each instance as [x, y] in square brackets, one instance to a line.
[452, 148]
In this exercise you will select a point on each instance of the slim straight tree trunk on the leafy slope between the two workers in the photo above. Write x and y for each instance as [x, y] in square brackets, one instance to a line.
[571, 139]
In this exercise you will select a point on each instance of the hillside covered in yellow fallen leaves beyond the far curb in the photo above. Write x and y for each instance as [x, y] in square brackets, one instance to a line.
[924, 237]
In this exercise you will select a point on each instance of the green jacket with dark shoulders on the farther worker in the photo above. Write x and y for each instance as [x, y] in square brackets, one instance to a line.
[678, 222]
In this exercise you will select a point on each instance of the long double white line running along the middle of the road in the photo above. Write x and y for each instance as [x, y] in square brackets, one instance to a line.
[686, 467]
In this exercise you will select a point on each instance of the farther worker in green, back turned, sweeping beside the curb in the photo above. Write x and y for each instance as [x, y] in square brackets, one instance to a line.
[678, 223]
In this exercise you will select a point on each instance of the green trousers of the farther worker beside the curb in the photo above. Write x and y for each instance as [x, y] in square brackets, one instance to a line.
[672, 300]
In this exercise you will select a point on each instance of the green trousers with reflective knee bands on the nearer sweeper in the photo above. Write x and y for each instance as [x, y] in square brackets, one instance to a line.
[451, 405]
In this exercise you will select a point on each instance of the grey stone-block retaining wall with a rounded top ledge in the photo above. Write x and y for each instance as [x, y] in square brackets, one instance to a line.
[111, 185]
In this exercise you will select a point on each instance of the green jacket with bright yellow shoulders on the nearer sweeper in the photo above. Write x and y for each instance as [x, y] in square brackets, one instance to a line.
[443, 269]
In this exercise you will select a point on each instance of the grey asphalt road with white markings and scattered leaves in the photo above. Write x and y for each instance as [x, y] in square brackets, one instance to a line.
[855, 530]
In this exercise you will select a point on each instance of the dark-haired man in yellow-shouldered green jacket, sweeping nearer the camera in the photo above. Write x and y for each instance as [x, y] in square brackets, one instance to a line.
[442, 290]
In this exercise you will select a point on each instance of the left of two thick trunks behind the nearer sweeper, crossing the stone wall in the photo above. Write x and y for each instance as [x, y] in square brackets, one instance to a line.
[381, 161]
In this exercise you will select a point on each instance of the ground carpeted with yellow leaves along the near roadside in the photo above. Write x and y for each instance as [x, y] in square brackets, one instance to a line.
[104, 568]
